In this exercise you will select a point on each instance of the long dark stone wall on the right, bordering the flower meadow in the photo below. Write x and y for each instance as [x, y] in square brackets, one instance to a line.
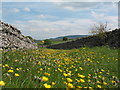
[111, 39]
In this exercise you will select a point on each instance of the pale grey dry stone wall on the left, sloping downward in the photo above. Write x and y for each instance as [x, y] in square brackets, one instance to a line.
[11, 37]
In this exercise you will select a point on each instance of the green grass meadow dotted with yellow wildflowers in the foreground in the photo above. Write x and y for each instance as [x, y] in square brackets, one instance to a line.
[47, 68]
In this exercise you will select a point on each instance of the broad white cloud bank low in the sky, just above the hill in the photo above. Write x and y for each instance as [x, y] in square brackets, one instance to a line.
[42, 29]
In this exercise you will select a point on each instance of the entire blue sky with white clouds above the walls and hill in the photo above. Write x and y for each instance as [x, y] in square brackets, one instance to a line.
[43, 20]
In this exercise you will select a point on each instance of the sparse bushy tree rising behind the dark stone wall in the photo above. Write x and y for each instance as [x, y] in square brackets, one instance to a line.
[100, 30]
